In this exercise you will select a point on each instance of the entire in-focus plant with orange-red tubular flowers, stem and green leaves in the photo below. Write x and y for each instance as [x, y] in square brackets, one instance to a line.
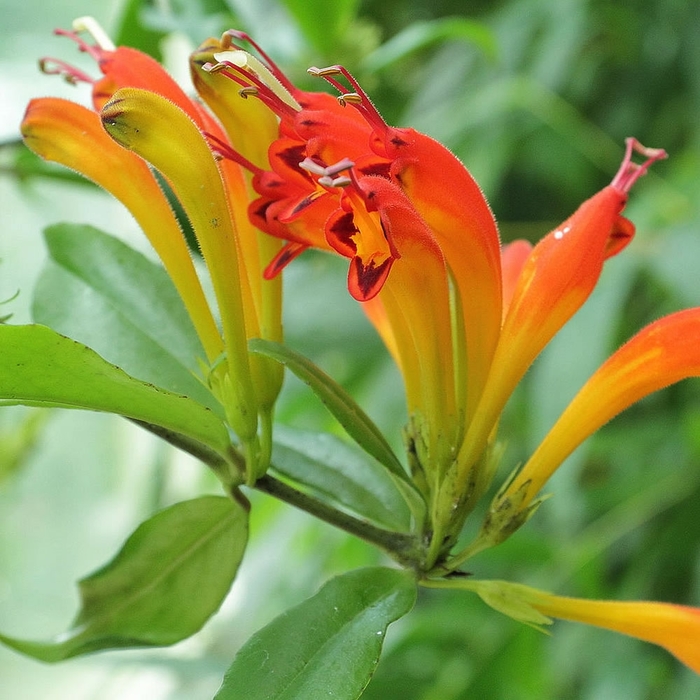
[263, 172]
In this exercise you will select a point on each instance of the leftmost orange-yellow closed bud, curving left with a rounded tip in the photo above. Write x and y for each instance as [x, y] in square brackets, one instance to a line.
[72, 135]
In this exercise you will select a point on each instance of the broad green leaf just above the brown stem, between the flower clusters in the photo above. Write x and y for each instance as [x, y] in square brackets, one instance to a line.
[340, 472]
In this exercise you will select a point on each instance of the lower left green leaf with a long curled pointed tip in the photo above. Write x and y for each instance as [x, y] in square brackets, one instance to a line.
[169, 578]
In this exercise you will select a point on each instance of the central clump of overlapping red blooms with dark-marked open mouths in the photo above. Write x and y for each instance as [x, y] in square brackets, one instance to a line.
[341, 179]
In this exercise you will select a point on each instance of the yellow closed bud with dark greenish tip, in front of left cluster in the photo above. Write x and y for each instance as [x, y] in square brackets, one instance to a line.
[159, 131]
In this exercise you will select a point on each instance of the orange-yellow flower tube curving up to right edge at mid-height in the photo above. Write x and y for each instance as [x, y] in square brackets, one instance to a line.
[661, 354]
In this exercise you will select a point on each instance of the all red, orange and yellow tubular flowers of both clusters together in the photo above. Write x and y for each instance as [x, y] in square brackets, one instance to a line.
[266, 171]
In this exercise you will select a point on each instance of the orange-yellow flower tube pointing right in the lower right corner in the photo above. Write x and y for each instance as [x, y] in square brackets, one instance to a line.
[676, 628]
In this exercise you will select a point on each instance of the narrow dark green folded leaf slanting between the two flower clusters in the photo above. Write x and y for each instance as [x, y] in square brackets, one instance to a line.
[347, 412]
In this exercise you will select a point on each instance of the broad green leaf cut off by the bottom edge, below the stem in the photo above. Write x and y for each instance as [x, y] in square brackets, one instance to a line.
[327, 647]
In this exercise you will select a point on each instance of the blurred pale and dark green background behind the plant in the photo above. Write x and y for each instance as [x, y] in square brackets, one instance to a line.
[536, 98]
